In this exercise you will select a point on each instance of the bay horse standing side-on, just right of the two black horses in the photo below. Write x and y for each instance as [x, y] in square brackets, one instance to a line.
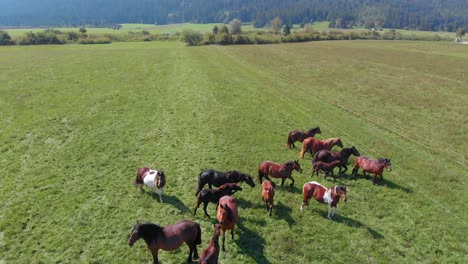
[283, 171]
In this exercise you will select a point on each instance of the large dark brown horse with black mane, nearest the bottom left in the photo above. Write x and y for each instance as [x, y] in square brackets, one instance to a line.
[168, 238]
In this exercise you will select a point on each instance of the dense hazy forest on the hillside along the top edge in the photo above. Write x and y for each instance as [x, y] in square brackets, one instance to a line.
[436, 15]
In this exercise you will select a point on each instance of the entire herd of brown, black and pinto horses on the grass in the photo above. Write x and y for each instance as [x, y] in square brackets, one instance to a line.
[171, 237]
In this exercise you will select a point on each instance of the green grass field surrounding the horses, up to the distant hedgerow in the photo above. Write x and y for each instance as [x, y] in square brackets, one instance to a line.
[76, 121]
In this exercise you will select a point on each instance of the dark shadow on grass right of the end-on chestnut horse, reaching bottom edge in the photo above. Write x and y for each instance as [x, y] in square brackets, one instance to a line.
[251, 244]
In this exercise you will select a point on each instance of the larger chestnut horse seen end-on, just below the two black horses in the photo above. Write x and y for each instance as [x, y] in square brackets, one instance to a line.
[227, 215]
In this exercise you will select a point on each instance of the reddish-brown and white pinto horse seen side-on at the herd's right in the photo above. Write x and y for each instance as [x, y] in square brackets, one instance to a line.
[322, 194]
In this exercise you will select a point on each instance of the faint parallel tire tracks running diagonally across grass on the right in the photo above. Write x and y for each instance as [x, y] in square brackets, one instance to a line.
[303, 110]
